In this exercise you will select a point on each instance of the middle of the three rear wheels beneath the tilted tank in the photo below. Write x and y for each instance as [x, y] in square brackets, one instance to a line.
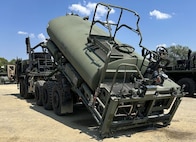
[47, 95]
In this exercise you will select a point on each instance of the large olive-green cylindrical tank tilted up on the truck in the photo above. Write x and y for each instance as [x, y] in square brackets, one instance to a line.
[70, 33]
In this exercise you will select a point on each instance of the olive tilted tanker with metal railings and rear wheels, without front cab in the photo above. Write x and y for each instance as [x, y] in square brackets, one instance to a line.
[121, 88]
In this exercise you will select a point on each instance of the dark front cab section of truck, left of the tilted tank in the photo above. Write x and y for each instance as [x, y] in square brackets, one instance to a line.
[33, 72]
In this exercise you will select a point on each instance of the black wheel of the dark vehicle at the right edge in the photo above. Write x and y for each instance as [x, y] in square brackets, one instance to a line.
[189, 85]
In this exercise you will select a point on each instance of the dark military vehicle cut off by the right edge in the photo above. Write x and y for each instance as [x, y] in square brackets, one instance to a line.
[184, 73]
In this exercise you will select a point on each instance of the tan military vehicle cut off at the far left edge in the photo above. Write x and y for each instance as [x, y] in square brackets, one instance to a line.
[7, 76]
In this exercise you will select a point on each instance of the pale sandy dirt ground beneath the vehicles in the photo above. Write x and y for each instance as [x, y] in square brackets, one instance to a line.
[22, 121]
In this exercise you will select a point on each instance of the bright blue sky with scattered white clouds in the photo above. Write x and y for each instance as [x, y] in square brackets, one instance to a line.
[166, 22]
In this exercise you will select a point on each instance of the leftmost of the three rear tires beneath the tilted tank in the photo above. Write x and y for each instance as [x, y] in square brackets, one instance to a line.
[39, 92]
